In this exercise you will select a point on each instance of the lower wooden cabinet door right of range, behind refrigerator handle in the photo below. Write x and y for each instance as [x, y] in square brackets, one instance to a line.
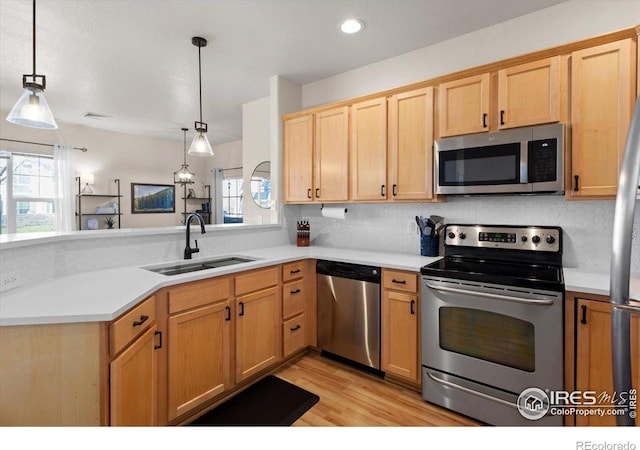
[593, 365]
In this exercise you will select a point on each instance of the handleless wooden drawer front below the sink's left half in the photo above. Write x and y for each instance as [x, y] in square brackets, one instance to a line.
[198, 293]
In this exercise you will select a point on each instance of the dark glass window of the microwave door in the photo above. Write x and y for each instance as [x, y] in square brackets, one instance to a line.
[498, 164]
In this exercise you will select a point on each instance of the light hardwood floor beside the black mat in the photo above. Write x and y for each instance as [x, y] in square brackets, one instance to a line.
[353, 398]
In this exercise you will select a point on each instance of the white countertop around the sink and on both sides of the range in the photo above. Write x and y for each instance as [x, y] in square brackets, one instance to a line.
[103, 295]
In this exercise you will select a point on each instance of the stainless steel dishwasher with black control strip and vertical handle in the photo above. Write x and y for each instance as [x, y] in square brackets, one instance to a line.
[349, 311]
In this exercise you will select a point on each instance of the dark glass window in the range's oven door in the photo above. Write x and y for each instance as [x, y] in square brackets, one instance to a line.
[488, 336]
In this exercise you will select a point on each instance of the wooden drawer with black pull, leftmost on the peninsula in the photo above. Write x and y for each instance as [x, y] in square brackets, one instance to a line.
[129, 326]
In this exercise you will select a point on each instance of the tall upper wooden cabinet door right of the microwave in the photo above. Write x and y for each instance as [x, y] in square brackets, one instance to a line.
[602, 99]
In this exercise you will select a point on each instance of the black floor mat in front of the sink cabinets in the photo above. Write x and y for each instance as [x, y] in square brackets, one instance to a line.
[270, 402]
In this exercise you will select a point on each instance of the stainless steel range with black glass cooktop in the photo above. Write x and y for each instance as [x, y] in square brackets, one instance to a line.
[492, 321]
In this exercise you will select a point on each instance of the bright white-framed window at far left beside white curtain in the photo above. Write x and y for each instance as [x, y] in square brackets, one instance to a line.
[26, 193]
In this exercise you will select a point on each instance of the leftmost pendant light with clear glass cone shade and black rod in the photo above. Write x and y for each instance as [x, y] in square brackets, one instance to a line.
[32, 110]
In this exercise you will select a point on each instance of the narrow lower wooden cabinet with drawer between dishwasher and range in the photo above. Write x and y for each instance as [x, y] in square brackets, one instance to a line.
[400, 325]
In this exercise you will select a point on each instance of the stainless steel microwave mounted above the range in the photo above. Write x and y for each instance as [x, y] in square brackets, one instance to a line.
[518, 161]
